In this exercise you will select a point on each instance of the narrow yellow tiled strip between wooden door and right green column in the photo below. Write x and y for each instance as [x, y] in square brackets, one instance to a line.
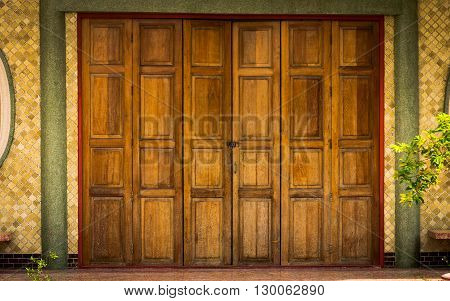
[389, 136]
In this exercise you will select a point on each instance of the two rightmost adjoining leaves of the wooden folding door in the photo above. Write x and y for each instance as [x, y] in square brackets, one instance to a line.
[330, 143]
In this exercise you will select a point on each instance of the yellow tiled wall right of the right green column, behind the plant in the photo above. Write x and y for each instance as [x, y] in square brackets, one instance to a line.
[434, 60]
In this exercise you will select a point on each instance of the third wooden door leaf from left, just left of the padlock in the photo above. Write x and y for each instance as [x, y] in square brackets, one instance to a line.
[207, 129]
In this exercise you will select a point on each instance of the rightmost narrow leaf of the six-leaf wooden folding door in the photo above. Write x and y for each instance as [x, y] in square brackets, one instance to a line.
[355, 132]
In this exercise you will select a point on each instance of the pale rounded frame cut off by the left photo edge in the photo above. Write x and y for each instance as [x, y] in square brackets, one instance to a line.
[8, 94]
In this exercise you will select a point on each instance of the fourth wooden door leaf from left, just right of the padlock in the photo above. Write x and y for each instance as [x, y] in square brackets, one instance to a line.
[256, 130]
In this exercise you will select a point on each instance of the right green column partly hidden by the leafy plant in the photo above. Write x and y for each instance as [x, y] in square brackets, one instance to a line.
[407, 219]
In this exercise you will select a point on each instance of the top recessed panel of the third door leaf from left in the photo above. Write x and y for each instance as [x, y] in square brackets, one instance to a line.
[207, 46]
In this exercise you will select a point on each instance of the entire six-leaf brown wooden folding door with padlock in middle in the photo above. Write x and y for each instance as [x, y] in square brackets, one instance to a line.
[229, 143]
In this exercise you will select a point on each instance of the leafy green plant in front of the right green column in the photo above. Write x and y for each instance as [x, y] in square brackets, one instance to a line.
[424, 158]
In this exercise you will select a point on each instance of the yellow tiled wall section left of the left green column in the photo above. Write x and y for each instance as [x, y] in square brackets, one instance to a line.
[20, 174]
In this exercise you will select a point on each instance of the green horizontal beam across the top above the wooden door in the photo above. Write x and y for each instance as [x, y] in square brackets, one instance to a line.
[380, 7]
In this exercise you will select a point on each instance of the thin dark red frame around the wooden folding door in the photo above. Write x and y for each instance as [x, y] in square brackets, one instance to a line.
[379, 19]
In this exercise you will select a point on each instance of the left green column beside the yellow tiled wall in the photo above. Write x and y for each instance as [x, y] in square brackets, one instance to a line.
[53, 133]
